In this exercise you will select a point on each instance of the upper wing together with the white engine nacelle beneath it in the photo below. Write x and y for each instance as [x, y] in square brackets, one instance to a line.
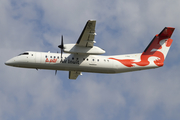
[85, 43]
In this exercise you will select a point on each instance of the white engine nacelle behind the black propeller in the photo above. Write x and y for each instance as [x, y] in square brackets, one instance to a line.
[72, 48]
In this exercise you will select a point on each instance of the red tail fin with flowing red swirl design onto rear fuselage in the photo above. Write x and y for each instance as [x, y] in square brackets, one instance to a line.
[158, 48]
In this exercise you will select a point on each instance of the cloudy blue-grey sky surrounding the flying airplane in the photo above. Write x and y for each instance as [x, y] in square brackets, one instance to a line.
[122, 27]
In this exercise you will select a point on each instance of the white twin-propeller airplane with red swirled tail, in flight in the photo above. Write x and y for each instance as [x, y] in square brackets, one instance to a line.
[85, 57]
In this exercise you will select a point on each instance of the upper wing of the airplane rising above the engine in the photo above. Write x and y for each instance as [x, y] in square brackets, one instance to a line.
[86, 38]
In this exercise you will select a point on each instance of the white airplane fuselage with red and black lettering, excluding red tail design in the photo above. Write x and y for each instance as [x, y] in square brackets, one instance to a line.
[76, 62]
